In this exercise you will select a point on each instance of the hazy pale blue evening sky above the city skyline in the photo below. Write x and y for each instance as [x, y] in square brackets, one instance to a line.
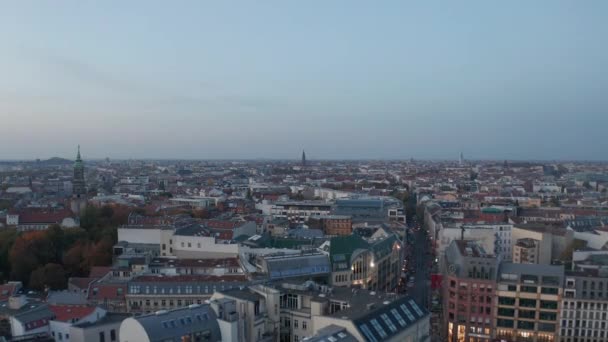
[345, 79]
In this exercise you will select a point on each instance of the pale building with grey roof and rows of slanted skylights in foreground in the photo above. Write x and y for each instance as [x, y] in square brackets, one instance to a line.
[294, 312]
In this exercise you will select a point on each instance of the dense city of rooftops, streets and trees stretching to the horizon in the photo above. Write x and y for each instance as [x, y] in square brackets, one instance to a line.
[303, 250]
